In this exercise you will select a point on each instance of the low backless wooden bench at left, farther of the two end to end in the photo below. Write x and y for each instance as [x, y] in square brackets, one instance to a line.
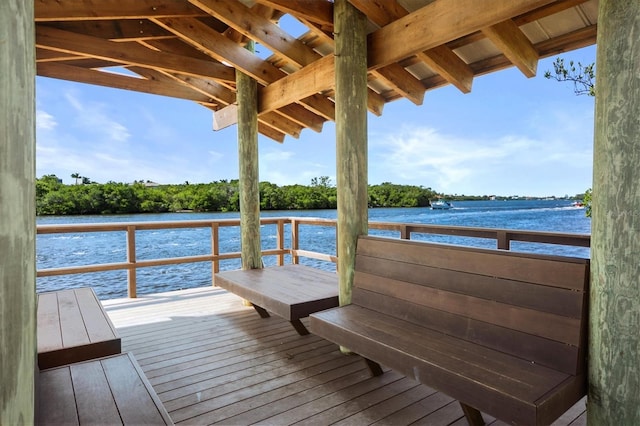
[73, 326]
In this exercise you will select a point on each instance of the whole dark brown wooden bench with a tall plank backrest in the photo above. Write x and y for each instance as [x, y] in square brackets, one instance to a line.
[502, 332]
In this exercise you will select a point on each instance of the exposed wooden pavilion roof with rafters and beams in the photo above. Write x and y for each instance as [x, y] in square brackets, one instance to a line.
[188, 49]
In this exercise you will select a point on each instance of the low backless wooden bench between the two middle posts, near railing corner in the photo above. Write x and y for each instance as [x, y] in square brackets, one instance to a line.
[291, 291]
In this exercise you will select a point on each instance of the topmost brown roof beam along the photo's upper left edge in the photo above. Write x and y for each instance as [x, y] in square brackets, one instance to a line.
[84, 10]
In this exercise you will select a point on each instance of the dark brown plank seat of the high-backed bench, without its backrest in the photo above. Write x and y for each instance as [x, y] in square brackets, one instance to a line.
[468, 372]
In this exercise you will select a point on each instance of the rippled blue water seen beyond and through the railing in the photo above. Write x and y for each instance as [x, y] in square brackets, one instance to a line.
[108, 247]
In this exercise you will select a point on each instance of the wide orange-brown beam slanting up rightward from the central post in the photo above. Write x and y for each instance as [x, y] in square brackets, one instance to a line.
[437, 23]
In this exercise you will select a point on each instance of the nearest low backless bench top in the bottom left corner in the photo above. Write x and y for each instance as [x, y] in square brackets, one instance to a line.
[111, 390]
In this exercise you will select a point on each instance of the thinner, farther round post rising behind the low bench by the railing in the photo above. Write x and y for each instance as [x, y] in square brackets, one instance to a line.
[247, 96]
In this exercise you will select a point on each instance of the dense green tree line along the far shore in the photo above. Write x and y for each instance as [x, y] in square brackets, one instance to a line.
[55, 198]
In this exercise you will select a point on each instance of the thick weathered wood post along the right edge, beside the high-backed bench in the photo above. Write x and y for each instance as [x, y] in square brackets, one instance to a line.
[614, 357]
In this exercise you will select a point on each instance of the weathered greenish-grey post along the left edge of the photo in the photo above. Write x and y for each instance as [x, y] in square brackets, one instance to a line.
[17, 213]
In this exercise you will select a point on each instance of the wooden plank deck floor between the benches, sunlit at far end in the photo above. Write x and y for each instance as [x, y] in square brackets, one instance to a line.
[213, 360]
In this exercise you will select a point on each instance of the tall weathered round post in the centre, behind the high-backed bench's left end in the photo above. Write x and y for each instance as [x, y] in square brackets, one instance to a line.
[351, 137]
